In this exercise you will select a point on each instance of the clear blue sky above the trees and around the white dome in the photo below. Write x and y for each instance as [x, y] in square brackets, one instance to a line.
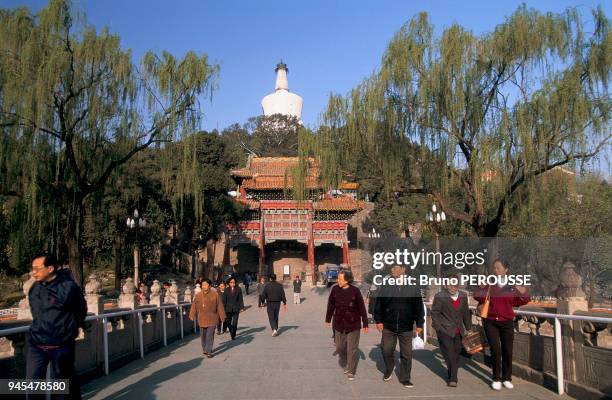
[328, 45]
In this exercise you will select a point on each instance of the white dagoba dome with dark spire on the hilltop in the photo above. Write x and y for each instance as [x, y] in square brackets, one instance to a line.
[282, 101]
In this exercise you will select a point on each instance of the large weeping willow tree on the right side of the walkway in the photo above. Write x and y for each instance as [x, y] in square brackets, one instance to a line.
[482, 115]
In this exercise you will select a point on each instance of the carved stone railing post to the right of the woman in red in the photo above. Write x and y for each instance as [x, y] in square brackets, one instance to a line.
[572, 299]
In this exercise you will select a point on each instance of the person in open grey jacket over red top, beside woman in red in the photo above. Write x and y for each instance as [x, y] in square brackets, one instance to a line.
[451, 318]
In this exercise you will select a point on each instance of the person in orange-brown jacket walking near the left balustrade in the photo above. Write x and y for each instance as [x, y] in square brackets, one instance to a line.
[208, 309]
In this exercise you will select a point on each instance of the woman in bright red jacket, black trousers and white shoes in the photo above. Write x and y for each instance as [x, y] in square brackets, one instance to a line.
[499, 324]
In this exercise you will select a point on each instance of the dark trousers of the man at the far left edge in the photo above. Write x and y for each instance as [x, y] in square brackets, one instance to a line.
[62, 367]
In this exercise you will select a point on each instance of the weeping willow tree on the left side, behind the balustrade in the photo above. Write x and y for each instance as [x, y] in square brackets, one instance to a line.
[74, 108]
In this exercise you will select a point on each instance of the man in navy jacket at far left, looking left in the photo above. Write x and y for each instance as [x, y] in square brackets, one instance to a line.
[58, 310]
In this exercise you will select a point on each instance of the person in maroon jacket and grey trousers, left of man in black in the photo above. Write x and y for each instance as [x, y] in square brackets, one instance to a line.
[347, 308]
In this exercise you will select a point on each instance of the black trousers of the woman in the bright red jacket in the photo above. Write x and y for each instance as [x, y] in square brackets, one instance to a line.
[500, 335]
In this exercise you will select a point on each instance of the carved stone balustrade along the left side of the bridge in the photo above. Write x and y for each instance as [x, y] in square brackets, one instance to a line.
[123, 333]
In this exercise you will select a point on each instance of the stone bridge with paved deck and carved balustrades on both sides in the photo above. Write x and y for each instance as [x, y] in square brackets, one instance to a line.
[298, 364]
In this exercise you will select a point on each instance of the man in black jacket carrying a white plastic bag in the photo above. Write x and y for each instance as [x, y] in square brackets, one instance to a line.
[397, 309]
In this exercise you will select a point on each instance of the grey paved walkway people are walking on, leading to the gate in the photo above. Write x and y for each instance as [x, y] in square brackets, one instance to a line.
[298, 364]
